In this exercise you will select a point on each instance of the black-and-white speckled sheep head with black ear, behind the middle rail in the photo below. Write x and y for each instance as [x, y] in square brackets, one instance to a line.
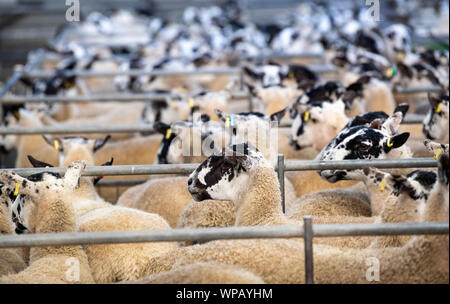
[360, 142]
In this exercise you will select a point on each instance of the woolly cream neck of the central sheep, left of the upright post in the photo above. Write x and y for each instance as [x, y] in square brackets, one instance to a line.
[260, 203]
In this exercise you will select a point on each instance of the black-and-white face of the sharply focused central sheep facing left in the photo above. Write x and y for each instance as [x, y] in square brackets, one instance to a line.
[224, 176]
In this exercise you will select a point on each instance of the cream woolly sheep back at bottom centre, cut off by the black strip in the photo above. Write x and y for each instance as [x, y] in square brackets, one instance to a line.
[202, 273]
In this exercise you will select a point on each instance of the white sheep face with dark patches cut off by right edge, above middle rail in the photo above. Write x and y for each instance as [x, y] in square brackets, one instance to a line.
[436, 123]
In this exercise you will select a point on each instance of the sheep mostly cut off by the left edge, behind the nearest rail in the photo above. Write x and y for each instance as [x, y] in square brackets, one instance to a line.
[11, 260]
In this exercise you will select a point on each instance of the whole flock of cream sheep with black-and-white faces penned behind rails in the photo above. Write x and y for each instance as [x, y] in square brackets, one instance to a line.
[353, 118]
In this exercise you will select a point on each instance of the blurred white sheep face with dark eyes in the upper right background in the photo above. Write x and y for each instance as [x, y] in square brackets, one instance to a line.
[397, 41]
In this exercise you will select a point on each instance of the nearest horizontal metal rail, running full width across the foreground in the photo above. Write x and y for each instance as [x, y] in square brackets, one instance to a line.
[210, 234]
